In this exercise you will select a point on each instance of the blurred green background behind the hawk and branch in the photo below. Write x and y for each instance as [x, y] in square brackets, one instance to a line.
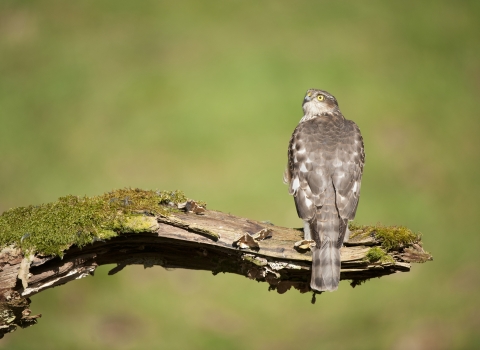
[203, 97]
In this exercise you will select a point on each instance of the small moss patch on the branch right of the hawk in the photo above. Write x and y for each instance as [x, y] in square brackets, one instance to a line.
[391, 237]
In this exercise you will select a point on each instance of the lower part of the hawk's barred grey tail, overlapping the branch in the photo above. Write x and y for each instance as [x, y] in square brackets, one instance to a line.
[325, 267]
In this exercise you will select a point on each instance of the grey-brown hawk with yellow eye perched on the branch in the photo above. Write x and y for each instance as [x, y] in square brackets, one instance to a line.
[326, 157]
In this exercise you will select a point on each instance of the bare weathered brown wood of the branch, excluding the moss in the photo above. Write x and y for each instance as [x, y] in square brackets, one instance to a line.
[211, 241]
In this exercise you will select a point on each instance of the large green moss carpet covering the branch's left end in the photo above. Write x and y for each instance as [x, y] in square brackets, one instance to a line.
[51, 228]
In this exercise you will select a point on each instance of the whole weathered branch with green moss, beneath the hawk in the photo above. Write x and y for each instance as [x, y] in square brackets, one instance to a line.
[52, 244]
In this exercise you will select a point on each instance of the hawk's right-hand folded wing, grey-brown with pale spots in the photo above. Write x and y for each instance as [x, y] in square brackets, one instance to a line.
[347, 176]
